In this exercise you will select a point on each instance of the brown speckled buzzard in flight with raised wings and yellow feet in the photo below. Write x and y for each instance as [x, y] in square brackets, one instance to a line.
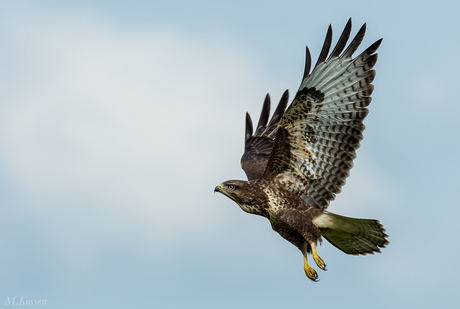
[299, 161]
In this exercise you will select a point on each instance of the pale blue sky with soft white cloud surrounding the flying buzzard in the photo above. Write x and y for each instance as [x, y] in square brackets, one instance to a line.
[118, 118]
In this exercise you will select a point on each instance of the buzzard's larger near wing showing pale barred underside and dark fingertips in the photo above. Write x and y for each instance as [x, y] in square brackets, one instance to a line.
[320, 131]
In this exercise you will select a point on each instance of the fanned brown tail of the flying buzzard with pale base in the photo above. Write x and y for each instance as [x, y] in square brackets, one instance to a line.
[352, 236]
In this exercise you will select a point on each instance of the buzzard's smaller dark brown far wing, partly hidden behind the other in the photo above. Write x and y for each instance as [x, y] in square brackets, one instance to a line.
[257, 147]
